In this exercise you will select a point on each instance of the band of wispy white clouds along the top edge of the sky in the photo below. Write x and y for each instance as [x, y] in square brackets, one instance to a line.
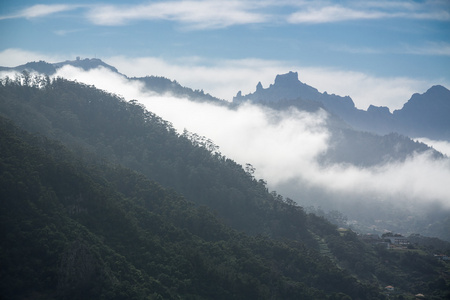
[219, 14]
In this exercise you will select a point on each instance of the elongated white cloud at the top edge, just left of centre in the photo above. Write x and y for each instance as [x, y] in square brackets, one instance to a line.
[196, 14]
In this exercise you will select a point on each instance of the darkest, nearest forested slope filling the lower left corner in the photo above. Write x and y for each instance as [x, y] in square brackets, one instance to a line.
[73, 231]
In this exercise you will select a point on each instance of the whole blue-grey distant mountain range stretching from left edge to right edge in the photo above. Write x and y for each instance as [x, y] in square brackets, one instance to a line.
[424, 115]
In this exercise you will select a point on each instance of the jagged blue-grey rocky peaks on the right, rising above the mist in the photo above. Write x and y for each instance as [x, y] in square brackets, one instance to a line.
[424, 115]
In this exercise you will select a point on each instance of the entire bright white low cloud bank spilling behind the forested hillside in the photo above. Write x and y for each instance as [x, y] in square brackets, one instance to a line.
[284, 146]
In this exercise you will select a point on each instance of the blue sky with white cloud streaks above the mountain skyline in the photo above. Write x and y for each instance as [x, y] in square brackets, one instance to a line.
[377, 52]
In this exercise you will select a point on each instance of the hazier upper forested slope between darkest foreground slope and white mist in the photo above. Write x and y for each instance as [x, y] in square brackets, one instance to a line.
[105, 127]
